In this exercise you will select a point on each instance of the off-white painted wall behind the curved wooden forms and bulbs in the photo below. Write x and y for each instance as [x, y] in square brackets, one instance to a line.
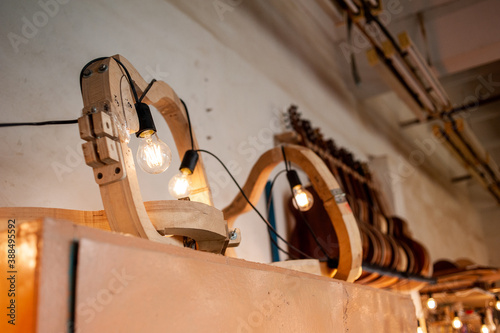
[228, 64]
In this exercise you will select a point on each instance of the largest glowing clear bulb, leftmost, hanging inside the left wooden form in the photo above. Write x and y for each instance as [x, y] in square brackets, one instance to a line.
[153, 155]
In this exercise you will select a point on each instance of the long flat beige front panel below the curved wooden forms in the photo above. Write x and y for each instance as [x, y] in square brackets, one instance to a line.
[129, 289]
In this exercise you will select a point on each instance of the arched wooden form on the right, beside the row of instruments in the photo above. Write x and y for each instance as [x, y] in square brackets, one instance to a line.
[349, 267]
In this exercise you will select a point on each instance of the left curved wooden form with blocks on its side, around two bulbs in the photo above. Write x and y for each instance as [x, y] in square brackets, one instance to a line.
[109, 117]
